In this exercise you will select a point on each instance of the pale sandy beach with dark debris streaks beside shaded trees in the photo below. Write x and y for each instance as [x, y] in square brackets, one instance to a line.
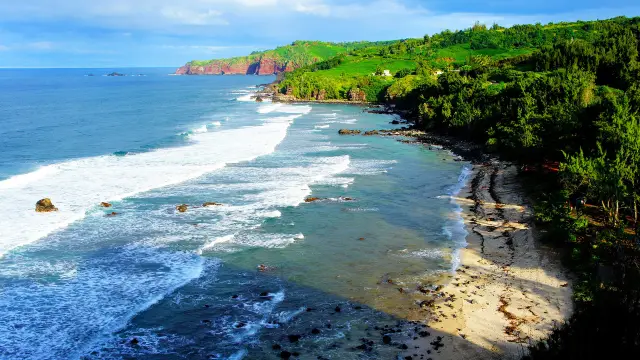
[509, 290]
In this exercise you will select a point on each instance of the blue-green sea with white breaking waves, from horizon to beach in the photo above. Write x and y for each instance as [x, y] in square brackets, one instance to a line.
[79, 284]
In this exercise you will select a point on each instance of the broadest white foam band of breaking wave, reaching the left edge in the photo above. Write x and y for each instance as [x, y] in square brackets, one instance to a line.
[79, 185]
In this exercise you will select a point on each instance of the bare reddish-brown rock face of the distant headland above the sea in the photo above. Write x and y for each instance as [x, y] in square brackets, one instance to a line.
[262, 66]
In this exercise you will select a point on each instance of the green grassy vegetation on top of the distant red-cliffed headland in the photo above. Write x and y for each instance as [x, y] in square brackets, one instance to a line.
[298, 53]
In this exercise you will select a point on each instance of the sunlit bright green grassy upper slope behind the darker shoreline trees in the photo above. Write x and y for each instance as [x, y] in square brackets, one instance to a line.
[446, 51]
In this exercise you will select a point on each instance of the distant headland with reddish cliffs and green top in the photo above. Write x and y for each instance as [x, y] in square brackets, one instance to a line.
[281, 59]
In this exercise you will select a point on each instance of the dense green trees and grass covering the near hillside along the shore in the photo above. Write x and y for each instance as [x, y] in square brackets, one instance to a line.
[565, 94]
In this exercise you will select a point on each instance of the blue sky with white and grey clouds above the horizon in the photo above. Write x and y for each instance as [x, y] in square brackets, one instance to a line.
[159, 33]
